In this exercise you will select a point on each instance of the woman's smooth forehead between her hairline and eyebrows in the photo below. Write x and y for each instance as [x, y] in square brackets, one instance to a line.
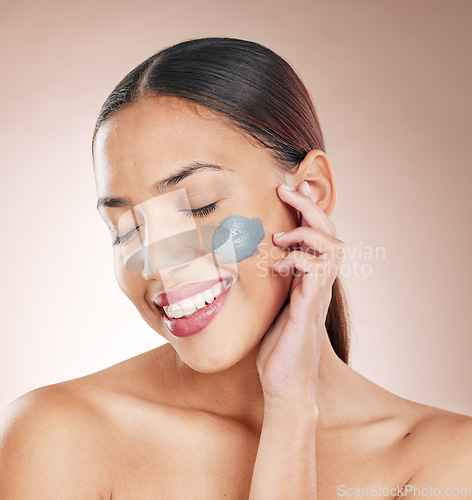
[166, 131]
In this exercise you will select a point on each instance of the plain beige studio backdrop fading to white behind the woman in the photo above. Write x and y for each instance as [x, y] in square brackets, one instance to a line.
[391, 81]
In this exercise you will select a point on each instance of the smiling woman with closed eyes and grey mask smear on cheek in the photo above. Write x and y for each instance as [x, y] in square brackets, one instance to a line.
[212, 176]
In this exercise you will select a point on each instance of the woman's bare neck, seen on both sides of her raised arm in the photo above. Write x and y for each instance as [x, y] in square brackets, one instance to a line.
[343, 395]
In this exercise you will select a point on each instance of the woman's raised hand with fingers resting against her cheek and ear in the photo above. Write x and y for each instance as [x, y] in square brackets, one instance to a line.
[289, 353]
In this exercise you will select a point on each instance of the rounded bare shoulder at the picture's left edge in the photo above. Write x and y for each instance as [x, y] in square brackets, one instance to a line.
[49, 442]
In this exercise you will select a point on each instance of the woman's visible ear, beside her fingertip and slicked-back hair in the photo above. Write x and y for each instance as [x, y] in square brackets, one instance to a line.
[316, 169]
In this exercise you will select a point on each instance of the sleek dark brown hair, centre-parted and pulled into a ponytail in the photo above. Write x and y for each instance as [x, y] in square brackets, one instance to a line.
[255, 88]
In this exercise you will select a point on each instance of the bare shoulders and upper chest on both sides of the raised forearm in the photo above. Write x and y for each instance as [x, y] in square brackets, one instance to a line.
[137, 431]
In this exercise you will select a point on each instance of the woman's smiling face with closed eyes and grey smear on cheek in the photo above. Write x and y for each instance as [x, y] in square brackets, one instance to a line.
[152, 139]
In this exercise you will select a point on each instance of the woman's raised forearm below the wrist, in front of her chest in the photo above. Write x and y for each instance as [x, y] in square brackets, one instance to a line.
[285, 464]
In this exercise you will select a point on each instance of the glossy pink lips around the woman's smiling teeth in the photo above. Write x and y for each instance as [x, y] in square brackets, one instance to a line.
[184, 327]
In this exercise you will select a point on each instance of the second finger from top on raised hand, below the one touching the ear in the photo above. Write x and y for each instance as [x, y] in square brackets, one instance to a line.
[316, 241]
